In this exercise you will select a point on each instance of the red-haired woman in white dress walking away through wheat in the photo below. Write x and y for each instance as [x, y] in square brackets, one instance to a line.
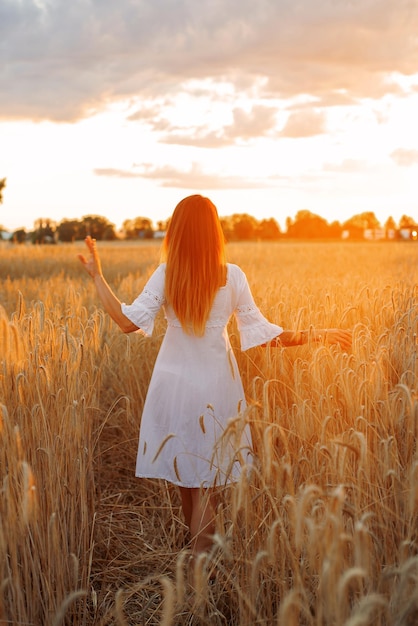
[195, 389]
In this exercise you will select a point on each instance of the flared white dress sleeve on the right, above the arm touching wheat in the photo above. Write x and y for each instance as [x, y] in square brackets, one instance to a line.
[254, 328]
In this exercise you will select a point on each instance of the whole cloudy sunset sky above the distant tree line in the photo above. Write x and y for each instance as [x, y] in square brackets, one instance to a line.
[121, 108]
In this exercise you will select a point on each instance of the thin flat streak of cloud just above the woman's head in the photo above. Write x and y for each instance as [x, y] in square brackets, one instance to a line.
[193, 178]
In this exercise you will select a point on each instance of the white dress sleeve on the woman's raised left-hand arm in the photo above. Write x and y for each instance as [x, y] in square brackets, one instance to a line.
[144, 308]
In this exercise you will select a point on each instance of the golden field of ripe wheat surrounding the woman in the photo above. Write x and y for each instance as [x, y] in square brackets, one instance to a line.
[324, 532]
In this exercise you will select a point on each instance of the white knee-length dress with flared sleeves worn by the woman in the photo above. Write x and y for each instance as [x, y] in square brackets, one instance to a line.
[193, 430]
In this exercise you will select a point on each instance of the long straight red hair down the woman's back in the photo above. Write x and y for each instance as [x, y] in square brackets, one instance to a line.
[194, 251]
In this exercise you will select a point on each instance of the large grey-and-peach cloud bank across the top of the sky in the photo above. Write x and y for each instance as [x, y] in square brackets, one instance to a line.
[65, 60]
